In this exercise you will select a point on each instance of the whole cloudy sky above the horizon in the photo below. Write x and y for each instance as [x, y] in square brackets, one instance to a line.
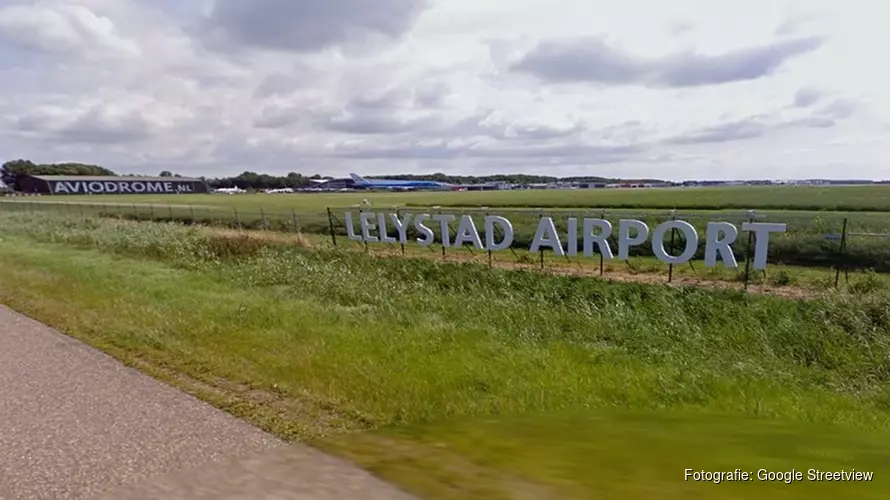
[683, 89]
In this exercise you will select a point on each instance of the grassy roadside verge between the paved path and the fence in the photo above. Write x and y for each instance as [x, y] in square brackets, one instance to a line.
[467, 382]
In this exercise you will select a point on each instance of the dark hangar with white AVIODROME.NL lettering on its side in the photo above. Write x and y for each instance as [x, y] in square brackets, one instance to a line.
[83, 184]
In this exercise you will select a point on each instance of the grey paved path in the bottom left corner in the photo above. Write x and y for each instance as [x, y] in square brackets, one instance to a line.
[76, 424]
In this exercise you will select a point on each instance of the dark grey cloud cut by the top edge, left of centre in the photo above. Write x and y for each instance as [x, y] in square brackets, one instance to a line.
[307, 25]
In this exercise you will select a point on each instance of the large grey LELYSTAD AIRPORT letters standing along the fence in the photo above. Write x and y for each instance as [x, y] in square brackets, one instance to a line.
[582, 235]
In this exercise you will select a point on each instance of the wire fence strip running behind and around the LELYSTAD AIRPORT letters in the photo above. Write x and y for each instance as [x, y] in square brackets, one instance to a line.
[832, 244]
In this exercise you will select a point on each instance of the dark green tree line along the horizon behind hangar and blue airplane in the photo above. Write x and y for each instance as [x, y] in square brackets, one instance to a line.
[11, 172]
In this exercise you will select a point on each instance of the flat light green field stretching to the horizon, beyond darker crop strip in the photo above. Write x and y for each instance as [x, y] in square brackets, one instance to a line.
[835, 198]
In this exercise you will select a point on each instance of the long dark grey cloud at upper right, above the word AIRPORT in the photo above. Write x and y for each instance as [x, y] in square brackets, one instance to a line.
[593, 60]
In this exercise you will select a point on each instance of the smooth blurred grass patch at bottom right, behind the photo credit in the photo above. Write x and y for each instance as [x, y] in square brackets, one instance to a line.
[618, 455]
